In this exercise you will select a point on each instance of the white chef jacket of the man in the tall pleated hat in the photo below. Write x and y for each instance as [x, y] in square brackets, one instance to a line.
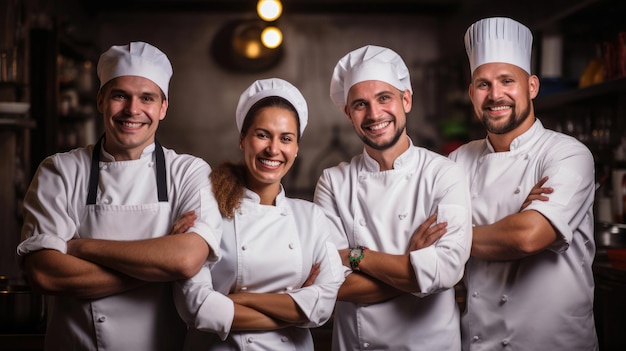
[545, 301]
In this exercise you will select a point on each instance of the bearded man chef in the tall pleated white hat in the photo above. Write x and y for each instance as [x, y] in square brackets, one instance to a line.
[529, 278]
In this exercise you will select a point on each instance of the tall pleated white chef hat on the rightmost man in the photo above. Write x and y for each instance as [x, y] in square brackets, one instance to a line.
[499, 39]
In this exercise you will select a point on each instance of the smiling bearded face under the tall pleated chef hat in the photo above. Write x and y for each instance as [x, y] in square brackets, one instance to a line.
[501, 94]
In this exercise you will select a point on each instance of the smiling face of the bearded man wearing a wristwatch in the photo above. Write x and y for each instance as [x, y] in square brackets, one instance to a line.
[377, 111]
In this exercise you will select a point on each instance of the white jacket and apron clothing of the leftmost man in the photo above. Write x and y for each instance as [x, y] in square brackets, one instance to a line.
[56, 212]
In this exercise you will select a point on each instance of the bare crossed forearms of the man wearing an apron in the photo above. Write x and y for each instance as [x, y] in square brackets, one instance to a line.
[97, 268]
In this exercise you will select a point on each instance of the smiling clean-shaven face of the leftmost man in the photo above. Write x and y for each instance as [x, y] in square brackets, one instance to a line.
[132, 108]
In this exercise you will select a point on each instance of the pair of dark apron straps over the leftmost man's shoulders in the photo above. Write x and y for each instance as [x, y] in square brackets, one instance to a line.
[94, 174]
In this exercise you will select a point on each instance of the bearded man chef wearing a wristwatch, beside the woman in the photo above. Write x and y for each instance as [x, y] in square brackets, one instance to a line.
[398, 295]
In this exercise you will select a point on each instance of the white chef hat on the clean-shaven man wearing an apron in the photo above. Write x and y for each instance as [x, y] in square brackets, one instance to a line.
[135, 59]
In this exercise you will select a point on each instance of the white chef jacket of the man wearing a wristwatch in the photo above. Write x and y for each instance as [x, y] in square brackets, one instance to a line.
[381, 210]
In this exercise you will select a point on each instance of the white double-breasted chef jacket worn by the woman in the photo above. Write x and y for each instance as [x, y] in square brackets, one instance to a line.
[265, 249]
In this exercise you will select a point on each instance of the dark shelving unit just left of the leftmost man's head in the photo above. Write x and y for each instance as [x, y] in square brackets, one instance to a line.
[63, 93]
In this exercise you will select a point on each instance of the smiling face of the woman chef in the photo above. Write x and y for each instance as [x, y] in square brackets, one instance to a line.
[270, 145]
